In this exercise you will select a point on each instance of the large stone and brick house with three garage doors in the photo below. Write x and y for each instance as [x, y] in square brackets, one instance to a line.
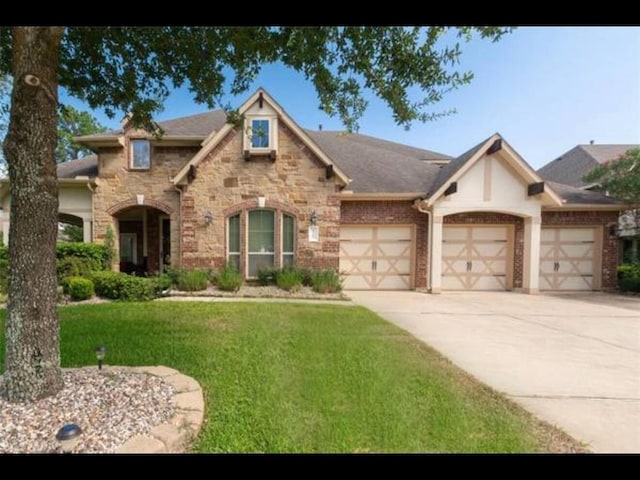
[388, 216]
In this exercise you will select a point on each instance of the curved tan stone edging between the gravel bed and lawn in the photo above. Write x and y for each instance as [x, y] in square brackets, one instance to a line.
[175, 435]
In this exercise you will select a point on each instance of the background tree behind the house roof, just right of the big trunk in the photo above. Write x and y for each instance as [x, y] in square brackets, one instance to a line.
[74, 123]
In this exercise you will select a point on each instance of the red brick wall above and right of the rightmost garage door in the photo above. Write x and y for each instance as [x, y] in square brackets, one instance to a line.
[609, 242]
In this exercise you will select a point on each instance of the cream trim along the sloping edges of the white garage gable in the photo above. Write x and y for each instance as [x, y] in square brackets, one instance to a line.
[454, 170]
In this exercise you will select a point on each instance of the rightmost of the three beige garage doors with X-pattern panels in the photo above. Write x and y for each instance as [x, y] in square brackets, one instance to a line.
[568, 258]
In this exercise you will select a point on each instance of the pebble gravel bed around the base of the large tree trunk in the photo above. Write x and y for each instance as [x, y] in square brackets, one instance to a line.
[110, 406]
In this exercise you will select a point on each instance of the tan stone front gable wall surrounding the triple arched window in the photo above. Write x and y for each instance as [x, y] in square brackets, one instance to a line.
[226, 184]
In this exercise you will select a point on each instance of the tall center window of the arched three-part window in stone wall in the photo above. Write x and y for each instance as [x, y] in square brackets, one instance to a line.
[261, 240]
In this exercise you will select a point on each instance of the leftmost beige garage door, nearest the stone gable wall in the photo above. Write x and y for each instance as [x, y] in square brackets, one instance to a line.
[376, 257]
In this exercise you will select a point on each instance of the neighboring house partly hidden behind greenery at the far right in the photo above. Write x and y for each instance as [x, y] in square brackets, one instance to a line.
[572, 166]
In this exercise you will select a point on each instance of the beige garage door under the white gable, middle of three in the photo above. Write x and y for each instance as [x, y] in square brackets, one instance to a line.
[476, 257]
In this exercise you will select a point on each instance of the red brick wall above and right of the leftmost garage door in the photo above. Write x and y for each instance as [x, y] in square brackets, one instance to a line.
[392, 212]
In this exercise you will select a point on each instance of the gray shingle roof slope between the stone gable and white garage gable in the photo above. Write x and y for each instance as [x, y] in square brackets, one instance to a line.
[379, 166]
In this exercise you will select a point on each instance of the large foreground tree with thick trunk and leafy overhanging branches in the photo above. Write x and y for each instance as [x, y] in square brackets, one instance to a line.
[131, 70]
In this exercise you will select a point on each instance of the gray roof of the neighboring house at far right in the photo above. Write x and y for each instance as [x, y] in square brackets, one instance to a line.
[571, 166]
